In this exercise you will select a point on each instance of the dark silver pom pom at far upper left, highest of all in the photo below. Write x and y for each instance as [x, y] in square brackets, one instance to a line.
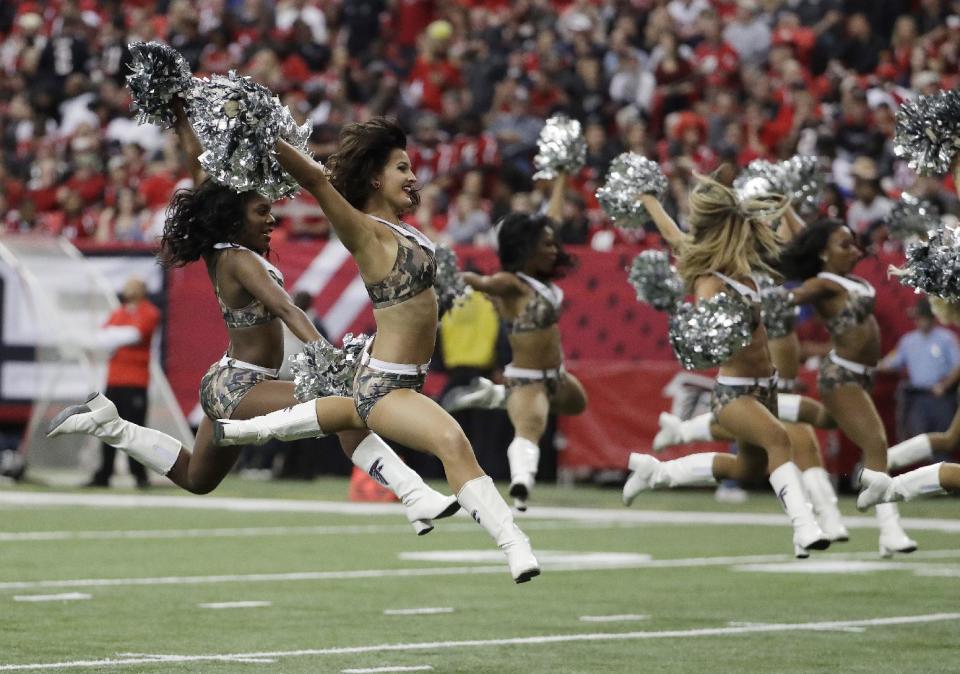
[158, 74]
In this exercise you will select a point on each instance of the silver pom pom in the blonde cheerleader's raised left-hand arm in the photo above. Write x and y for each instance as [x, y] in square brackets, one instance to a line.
[630, 176]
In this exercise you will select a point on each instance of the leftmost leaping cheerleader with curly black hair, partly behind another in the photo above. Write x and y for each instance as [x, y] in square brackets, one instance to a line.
[230, 232]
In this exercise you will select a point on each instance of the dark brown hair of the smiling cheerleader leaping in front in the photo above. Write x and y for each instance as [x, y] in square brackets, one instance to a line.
[362, 152]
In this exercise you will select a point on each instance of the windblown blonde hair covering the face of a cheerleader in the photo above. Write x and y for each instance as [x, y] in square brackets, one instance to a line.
[728, 235]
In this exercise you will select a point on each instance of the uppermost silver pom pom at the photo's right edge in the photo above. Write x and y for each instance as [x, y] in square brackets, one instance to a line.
[928, 132]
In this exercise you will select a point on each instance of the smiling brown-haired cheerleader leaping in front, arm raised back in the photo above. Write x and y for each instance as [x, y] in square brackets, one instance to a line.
[366, 190]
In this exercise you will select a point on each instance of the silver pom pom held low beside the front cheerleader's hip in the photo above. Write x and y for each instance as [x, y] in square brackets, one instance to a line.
[322, 369]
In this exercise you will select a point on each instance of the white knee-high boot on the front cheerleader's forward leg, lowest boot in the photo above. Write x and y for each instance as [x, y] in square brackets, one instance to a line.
[480, 498]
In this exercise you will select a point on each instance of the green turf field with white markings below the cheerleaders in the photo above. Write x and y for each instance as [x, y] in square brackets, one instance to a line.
[674, 584]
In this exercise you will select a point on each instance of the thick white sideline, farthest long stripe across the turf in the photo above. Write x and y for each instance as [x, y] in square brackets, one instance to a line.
[20, 498]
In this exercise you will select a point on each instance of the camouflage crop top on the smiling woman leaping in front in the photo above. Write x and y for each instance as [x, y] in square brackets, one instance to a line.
[413, 271]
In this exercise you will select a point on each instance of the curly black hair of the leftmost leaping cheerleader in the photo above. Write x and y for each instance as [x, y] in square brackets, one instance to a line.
[199, 218]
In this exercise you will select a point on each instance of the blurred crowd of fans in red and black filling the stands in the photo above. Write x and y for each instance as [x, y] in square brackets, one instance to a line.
[689, 83]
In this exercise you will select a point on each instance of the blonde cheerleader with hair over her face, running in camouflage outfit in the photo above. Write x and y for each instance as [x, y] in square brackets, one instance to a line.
[727, 243]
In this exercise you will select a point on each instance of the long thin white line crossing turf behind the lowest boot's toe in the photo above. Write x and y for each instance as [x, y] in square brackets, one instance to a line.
[364, 574]
